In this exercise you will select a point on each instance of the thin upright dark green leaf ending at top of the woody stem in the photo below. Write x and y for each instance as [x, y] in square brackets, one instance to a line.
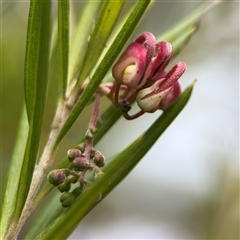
[63, 44]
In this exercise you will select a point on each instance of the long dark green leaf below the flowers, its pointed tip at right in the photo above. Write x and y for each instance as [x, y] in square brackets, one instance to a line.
[115, 172]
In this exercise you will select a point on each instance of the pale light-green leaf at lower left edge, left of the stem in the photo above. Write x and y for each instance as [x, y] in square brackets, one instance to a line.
[9, 201]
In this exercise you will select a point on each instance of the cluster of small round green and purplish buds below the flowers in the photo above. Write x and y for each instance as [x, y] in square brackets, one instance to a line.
[72, 182]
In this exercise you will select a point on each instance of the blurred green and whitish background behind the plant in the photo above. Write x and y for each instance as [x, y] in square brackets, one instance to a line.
[187, 186]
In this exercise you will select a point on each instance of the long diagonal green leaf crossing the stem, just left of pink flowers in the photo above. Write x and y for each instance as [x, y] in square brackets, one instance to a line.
[104, 66]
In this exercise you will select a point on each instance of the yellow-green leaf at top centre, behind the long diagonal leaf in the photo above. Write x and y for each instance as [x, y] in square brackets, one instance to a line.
[104, 25]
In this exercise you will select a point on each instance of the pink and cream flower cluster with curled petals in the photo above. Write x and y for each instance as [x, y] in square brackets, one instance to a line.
[140, 72]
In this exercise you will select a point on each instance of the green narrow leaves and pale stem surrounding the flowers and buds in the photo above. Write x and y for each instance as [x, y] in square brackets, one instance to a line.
[84, 66]
